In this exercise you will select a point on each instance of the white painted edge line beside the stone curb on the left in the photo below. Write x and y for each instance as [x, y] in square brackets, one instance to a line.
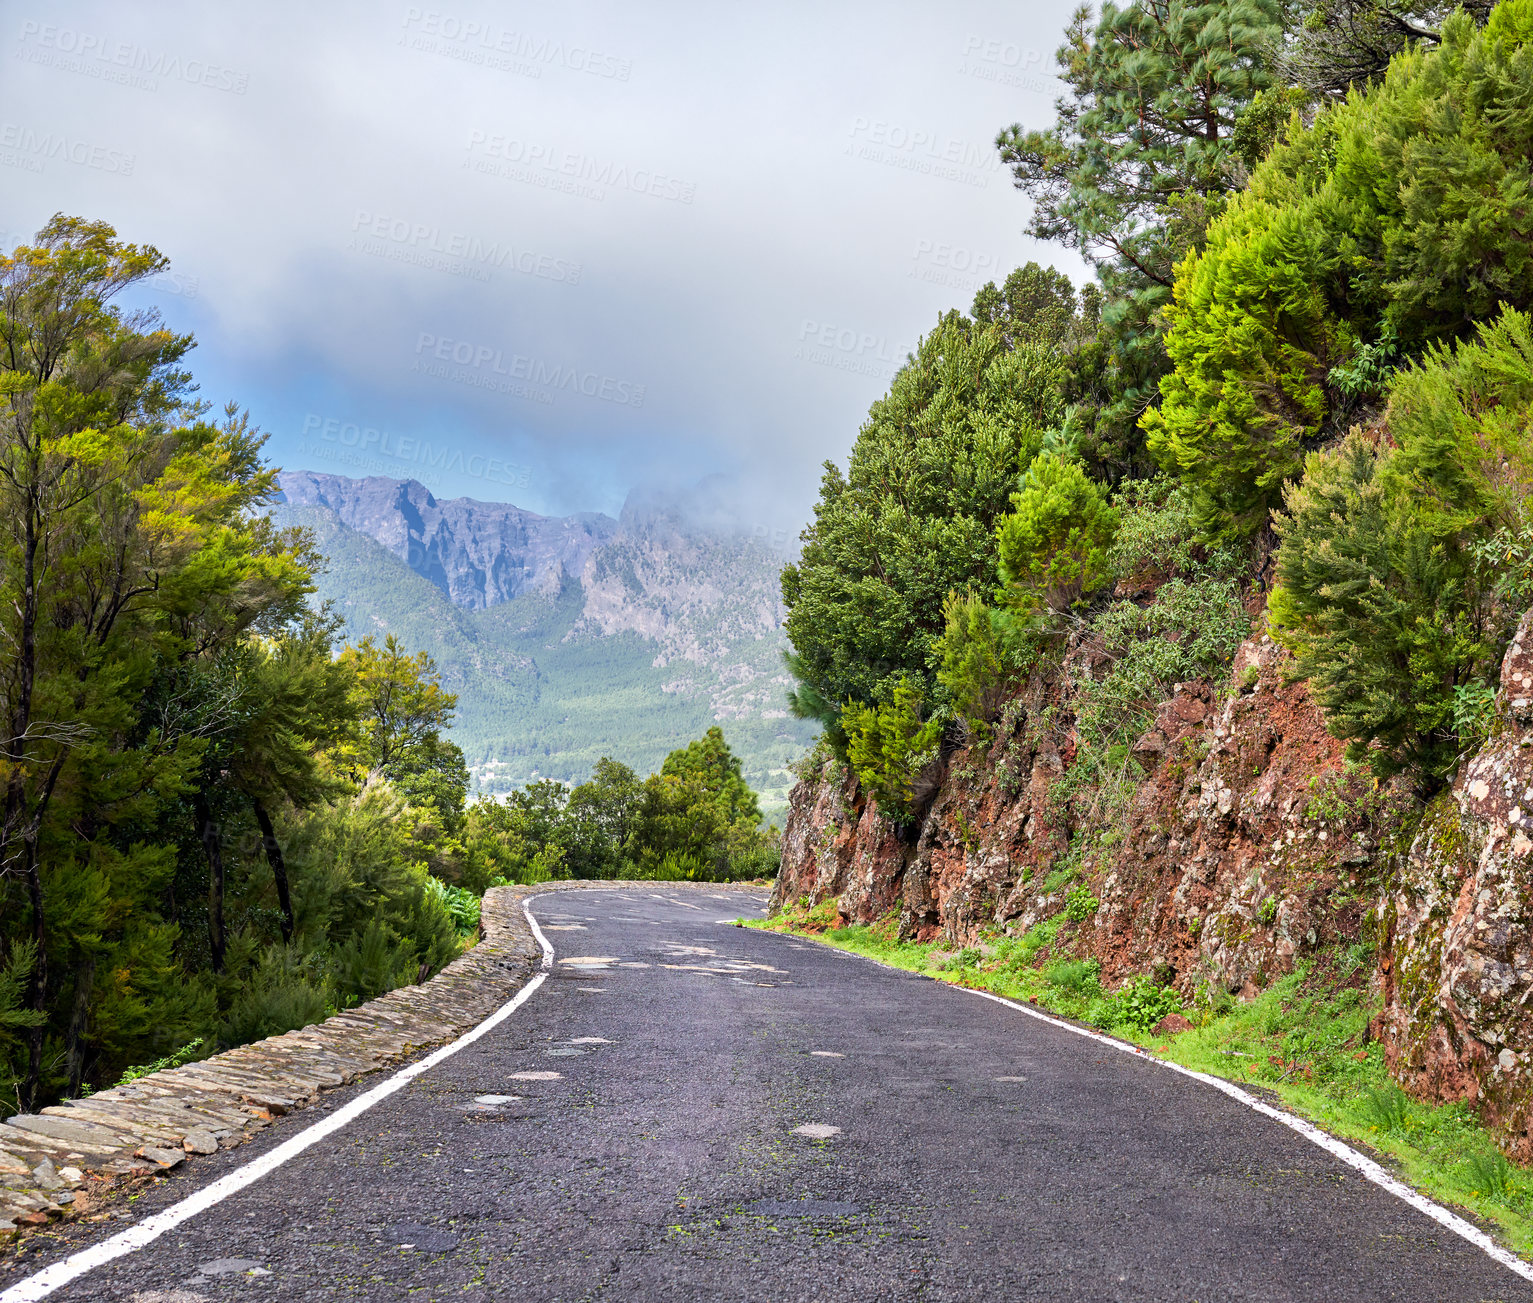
[153, 1229]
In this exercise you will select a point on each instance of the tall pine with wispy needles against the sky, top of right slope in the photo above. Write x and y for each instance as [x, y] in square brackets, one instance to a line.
[1138, 163]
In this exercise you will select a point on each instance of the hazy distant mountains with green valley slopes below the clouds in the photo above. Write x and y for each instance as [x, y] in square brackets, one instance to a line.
[566, 638]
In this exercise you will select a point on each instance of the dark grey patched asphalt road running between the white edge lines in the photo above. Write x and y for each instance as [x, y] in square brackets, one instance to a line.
[980, 1155]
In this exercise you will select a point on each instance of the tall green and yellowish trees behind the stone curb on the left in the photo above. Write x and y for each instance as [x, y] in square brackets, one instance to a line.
[183, 853]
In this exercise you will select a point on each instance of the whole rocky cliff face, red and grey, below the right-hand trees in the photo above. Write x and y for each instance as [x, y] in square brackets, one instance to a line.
[1246, 845]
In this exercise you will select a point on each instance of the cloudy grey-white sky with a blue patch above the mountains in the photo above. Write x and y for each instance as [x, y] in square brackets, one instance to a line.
[542, 252]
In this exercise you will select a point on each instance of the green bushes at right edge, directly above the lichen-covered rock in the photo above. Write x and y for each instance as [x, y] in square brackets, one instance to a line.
[1388, 596]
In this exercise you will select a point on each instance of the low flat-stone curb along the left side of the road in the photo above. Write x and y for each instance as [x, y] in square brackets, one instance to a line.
[166, 1118]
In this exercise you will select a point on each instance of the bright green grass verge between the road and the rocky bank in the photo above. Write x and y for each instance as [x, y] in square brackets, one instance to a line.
[1302, 1042]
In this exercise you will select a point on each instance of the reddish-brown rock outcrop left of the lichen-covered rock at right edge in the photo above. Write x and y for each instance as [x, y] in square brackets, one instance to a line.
[1244, 844]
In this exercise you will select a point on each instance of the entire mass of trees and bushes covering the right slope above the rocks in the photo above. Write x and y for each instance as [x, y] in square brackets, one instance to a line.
[1304, 218]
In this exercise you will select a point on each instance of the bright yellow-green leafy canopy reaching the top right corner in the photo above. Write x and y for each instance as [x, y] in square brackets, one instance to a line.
[1400, 218]
